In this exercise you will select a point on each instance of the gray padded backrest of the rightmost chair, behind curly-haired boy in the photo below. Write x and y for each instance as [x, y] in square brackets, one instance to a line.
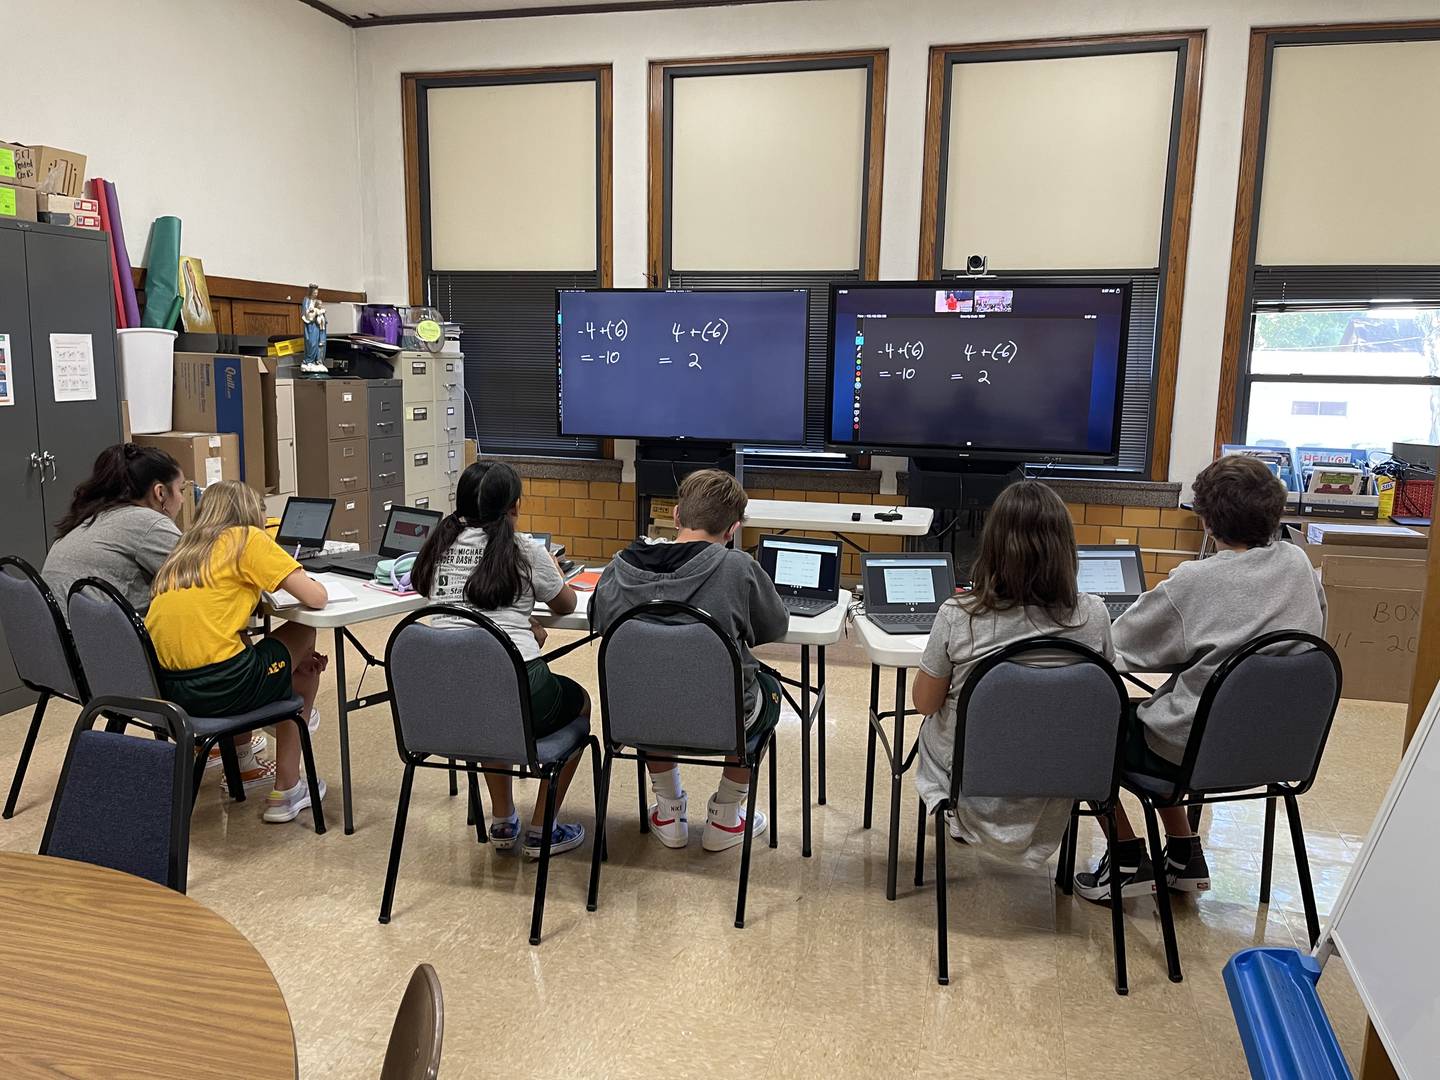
[1268, 722]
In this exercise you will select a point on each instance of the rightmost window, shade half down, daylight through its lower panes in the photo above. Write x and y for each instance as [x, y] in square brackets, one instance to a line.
[1343, 322]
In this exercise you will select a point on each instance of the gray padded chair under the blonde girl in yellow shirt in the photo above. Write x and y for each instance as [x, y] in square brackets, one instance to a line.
[120, 660]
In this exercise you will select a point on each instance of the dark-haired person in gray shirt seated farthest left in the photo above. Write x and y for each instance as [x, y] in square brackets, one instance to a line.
[120, 526]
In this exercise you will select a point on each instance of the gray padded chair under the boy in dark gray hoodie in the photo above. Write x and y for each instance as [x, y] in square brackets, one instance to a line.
[672, 689]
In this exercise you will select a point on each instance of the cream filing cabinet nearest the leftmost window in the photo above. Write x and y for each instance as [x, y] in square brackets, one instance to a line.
[434, 421]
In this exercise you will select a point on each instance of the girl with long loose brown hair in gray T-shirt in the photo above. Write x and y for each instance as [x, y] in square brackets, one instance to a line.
[1025, 587]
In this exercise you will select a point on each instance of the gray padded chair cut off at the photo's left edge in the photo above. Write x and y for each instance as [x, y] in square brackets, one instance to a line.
[42, 650]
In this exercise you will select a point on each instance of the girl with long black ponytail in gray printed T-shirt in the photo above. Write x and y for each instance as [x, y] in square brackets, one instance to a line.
[479, 561]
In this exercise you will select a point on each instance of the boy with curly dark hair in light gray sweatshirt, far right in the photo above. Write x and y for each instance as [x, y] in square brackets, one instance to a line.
[1189, 626]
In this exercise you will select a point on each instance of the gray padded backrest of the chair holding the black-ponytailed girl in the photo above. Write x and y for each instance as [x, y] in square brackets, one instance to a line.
[457, 695]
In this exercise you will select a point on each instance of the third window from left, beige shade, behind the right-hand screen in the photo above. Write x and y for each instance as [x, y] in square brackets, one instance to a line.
[1062, 162]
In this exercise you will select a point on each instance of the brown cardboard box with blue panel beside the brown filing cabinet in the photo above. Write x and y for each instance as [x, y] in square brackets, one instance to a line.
[233, 394]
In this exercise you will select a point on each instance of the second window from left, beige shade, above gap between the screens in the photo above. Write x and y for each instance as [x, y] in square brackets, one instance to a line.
[771, 181]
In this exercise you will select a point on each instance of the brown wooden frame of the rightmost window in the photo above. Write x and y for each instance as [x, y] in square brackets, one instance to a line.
[1235, 351]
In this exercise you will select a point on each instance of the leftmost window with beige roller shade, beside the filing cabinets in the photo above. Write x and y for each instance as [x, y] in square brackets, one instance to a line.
[513, 172]
